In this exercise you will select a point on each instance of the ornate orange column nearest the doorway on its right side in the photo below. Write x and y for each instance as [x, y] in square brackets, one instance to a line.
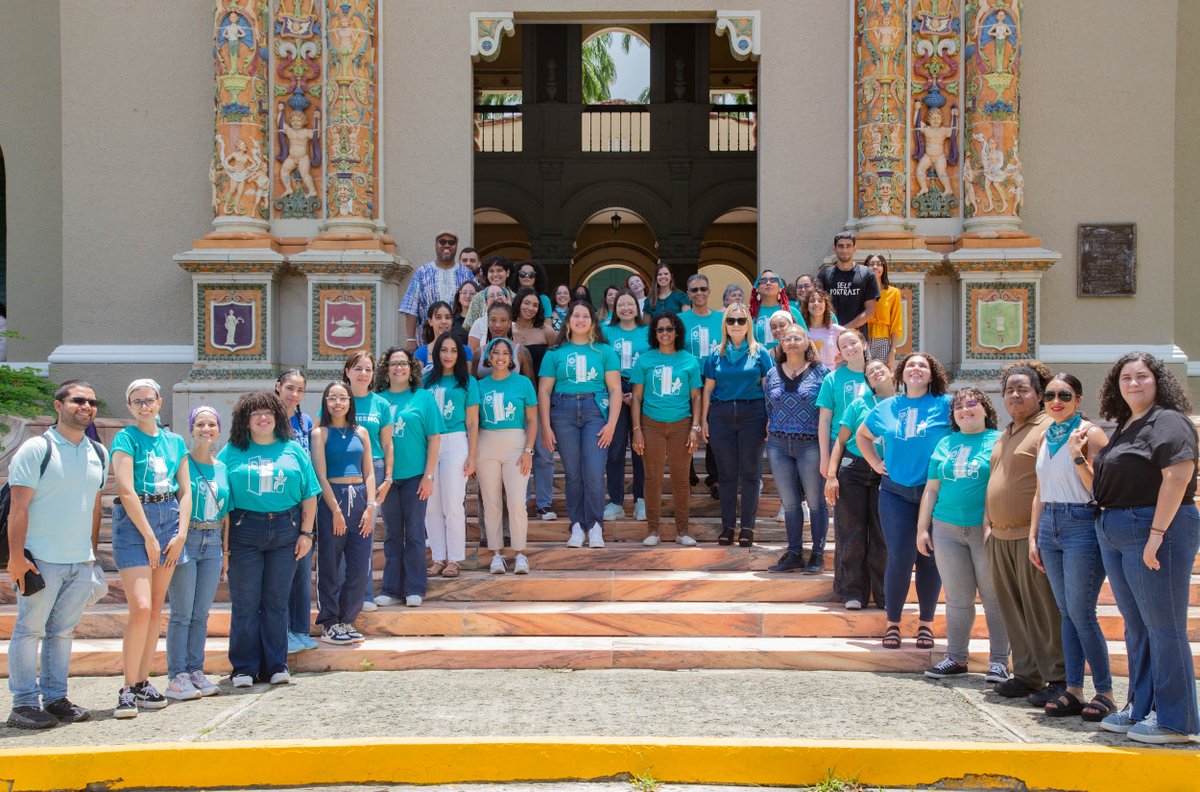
[881, 104]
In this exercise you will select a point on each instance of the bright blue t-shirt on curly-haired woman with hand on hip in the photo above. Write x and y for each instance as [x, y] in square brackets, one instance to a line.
[911, 429]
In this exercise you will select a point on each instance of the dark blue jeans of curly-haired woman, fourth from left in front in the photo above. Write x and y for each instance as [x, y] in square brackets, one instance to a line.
[262, 566]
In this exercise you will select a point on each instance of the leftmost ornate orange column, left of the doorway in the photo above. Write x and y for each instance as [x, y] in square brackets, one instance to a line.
[241, 170]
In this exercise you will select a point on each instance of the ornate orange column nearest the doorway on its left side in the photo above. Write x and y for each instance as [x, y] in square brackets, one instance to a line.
[352, 98]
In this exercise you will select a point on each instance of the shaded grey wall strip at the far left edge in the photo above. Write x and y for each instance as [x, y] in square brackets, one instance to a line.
[32, 141]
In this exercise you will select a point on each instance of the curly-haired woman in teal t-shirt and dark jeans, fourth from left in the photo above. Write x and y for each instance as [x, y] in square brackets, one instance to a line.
[273, 489]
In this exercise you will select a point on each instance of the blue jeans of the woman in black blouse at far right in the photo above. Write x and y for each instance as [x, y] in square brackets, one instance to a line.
[1155, 608]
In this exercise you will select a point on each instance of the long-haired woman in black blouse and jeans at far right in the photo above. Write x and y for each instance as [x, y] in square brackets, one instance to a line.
[1145, 485]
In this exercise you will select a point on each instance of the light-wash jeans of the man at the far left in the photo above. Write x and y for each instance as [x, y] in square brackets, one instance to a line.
[50, 617]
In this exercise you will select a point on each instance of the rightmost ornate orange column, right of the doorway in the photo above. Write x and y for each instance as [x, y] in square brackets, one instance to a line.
[993, 188]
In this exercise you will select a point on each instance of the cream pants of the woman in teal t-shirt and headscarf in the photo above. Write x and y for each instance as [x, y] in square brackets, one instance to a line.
[500, 452]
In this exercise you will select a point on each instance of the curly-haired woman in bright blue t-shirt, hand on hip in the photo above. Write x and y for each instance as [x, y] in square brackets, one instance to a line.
[911, 425]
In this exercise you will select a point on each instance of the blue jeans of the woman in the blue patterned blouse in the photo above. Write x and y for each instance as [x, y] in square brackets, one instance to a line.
[796, 466]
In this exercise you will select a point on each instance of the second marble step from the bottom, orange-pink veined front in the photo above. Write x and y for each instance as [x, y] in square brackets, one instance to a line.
[647, 620]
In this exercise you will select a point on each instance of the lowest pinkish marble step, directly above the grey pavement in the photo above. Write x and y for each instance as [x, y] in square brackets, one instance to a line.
[104, 657]
